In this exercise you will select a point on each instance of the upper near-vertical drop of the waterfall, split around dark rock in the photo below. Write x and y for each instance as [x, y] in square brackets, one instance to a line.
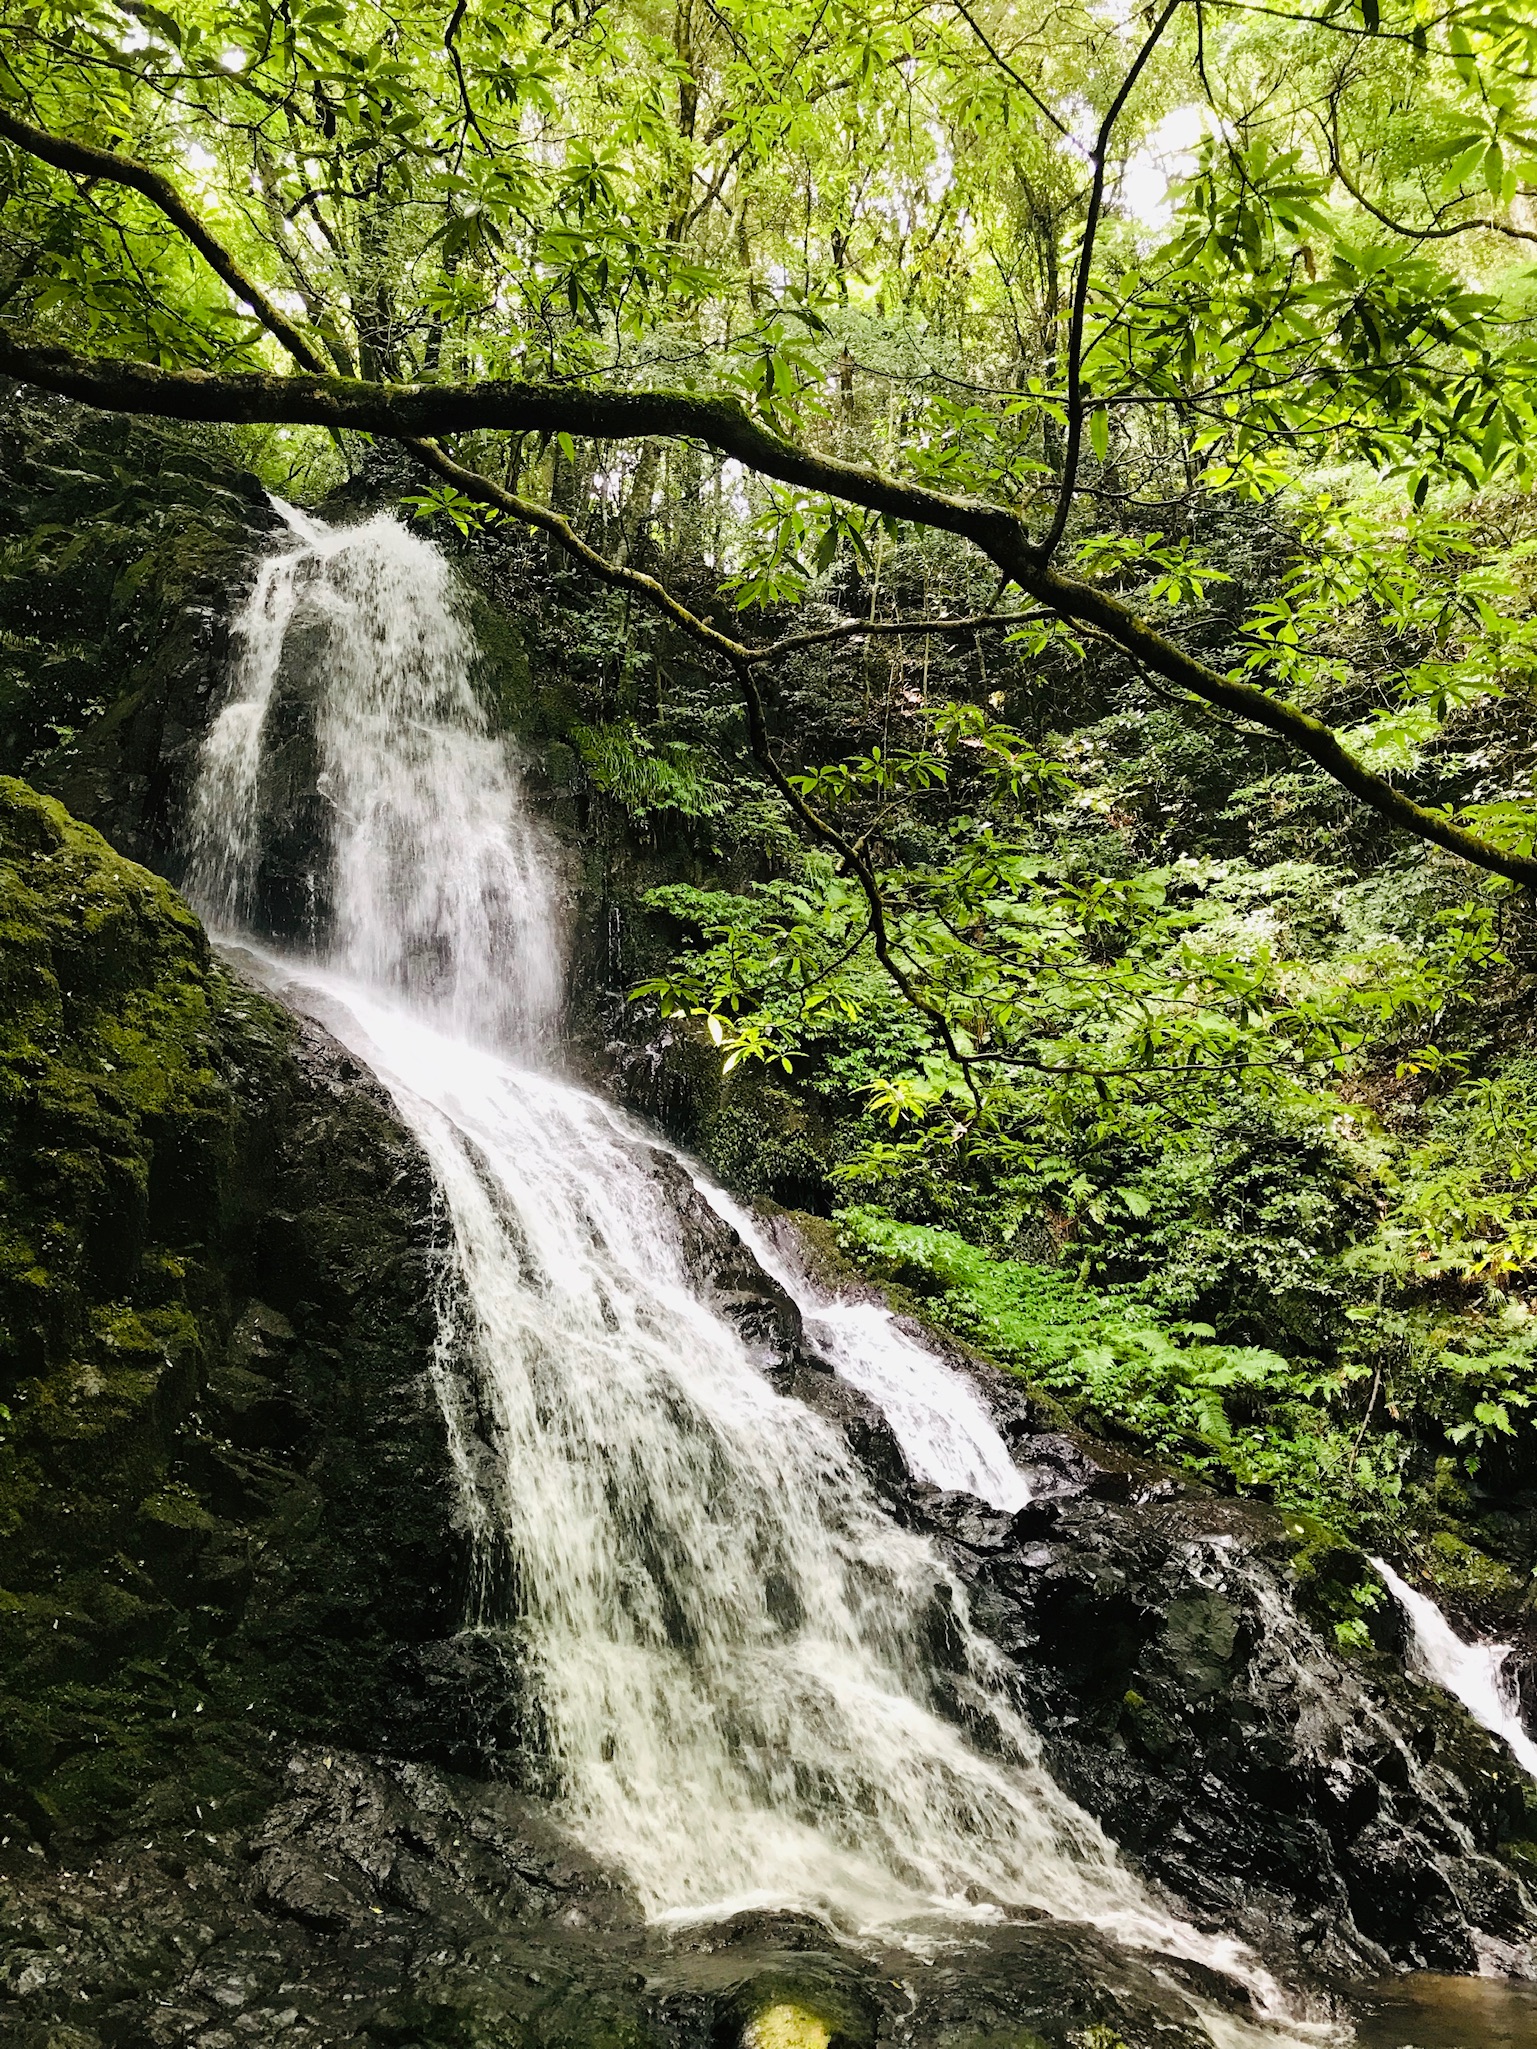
[354, 700]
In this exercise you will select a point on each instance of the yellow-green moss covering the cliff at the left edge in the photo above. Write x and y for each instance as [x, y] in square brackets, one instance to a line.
[106, 1079]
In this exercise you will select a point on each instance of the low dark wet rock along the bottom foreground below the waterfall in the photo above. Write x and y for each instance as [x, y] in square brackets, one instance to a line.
[386, 1905]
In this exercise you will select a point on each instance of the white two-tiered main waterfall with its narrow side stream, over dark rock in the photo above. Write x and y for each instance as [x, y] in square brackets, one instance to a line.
[733, 1644]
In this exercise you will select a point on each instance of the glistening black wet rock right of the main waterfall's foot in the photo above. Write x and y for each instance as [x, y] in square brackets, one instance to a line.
[1308, 1798]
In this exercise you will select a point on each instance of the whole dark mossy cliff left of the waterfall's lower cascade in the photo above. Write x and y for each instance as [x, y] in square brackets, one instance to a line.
[224, 1501]
